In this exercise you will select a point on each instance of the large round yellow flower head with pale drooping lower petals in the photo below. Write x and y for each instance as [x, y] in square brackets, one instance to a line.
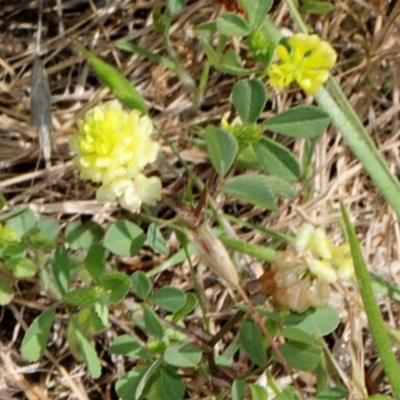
[112, 148]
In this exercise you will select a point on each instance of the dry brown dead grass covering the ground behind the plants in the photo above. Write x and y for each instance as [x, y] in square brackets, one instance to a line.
[365, 35]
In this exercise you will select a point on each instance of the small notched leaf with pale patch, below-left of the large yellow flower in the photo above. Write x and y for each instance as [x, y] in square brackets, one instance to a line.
[82, 237]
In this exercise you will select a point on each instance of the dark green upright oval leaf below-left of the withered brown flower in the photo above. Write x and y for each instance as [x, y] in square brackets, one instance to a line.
[252, 343]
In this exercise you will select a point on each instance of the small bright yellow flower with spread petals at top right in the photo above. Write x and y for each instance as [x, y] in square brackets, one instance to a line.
[307, 62]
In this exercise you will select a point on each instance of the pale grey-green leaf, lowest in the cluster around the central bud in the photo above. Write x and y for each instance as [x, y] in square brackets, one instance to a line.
[251, 188]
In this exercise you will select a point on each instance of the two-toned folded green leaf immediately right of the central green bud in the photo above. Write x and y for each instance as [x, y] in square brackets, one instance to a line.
[276, 159]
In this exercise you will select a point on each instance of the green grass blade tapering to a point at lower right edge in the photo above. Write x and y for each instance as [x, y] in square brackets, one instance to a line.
[375, 320]
